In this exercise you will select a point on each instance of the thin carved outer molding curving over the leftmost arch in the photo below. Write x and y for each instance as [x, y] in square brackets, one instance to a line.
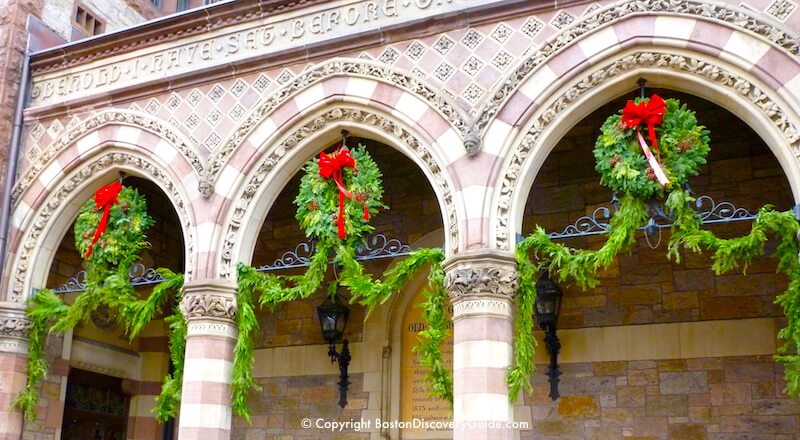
[95, 122]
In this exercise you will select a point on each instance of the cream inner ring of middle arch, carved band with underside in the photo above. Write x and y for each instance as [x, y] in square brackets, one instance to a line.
[286, 154]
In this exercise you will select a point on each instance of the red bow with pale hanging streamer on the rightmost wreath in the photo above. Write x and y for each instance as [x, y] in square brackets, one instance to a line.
[652, 114]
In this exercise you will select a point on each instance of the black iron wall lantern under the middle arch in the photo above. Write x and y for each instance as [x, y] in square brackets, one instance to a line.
[333, 320]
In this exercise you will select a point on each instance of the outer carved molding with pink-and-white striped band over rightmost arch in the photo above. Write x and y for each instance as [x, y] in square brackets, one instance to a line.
[711, 27]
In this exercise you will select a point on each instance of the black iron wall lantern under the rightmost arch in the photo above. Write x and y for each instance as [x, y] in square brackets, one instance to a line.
[548, 305]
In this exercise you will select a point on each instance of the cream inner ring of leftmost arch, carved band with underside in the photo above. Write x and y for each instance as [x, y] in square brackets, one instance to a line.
[36, 234]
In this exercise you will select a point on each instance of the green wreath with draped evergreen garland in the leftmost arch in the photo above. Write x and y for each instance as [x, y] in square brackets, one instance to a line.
[108, 283]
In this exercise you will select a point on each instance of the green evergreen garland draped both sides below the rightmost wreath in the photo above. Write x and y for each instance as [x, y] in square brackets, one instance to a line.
[581, 266]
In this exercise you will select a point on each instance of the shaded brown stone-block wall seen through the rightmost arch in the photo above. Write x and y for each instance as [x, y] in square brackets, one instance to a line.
[659, 348]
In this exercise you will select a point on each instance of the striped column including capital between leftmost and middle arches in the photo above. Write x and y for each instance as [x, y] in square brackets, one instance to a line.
[210, 308]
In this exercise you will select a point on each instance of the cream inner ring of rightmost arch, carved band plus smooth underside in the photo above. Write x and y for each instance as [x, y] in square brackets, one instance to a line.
[695, 74]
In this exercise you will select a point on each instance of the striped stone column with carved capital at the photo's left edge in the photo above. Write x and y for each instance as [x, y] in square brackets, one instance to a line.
[14, 328]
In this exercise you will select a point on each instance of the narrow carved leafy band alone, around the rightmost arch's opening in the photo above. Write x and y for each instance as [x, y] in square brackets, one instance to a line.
[759, 99]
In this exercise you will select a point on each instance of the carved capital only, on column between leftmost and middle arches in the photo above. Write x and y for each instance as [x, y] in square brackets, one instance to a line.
[209, 299]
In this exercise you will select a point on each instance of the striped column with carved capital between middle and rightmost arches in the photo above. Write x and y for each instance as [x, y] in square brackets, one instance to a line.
[481, 287]
